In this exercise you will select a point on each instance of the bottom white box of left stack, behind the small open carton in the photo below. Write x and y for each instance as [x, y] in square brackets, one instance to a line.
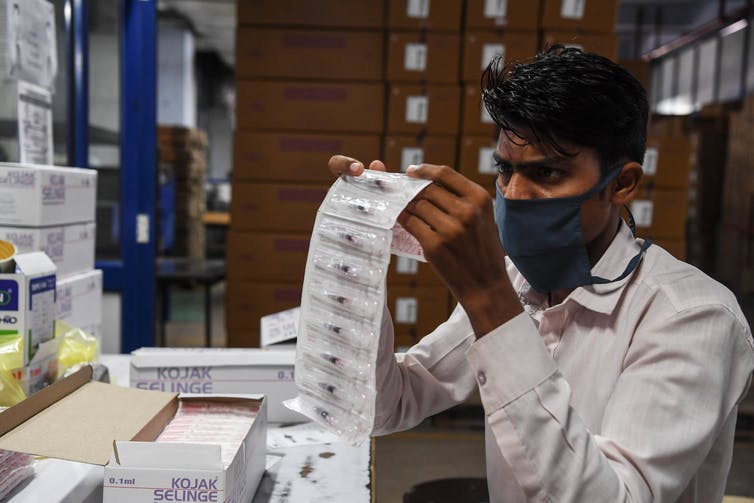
[79, 301]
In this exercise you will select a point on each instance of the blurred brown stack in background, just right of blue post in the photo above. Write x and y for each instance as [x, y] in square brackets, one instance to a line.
[183, 154]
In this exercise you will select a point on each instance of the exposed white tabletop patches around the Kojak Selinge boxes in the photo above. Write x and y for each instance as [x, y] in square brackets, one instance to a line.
[304, 464]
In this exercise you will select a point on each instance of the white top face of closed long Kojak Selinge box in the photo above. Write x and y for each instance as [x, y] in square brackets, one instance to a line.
[196, 357]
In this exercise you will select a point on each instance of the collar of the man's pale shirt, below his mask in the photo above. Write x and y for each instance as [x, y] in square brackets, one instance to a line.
[601, 298]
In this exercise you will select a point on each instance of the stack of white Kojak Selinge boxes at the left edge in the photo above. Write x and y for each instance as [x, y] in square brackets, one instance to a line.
[51, 209]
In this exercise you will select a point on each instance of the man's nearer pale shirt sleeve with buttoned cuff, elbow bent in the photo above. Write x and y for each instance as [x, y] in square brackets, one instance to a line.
[683, 377]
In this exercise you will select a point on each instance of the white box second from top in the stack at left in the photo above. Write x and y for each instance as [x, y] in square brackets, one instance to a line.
[70, 247]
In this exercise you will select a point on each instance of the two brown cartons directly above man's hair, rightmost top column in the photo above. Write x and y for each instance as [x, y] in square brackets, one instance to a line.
[587, 24]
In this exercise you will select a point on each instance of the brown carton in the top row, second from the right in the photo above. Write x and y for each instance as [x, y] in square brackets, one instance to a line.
[494, 14]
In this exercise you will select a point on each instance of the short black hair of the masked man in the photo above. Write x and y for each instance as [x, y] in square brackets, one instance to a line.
[565, 94]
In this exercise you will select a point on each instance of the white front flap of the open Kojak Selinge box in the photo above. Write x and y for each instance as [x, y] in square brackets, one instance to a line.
[168, 455]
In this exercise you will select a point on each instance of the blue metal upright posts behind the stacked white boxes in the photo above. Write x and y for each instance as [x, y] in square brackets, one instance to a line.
[133, 274]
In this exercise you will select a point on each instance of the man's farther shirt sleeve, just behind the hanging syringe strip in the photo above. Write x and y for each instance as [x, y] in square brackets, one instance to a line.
[432, 376]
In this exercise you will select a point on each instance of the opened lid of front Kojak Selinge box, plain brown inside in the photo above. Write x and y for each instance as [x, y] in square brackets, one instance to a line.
[79, 419]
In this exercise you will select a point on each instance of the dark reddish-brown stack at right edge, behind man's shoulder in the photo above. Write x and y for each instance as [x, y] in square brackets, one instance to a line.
[736, 239]
